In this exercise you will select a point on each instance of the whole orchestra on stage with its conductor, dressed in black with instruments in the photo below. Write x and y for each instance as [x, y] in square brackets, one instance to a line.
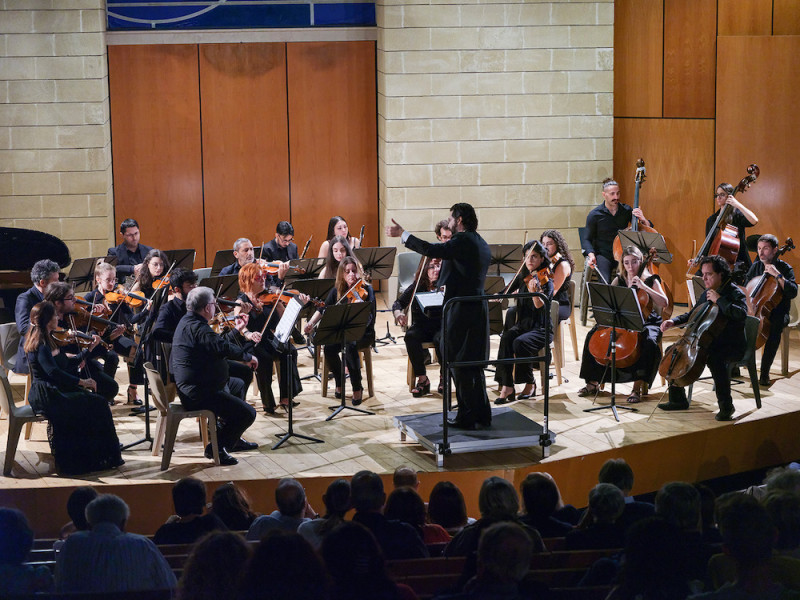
[144, 309]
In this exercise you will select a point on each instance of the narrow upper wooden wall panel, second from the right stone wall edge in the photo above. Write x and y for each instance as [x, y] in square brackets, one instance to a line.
[689, 58]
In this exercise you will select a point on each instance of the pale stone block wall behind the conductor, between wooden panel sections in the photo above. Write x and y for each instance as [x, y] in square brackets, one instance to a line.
[505, 105]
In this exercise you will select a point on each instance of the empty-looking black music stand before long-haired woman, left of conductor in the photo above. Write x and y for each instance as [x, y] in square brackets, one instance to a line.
[340, 324]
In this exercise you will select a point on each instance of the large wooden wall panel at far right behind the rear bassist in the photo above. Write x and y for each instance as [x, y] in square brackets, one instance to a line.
[757, 121]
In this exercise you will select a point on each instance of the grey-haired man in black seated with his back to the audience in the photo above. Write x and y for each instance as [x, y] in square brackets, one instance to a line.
[200, 367]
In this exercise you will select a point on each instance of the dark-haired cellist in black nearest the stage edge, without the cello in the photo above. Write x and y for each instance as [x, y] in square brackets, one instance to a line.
[727, 346]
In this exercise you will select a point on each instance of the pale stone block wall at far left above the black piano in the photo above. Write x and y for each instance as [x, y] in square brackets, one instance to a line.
[55, 146]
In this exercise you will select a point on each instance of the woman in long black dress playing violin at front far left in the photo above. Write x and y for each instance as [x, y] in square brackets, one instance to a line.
[80, 430]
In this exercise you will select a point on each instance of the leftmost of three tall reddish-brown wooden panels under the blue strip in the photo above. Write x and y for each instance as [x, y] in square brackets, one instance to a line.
[155, 128]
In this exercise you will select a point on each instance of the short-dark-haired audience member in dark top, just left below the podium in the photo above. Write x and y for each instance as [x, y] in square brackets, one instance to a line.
[397, 540]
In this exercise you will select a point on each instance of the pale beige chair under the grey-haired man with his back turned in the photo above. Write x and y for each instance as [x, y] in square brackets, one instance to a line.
[170, 415]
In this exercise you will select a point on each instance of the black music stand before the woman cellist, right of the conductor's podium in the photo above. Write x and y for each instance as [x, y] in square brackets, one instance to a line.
[615, 306]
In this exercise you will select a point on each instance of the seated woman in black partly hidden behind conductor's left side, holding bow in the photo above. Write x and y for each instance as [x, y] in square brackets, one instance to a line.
[425, 327]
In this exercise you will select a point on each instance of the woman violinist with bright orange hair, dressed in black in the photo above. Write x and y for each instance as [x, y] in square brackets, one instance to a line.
[259, 334]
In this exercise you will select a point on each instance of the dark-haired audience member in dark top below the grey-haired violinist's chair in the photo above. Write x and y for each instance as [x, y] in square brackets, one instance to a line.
[189, 498]
